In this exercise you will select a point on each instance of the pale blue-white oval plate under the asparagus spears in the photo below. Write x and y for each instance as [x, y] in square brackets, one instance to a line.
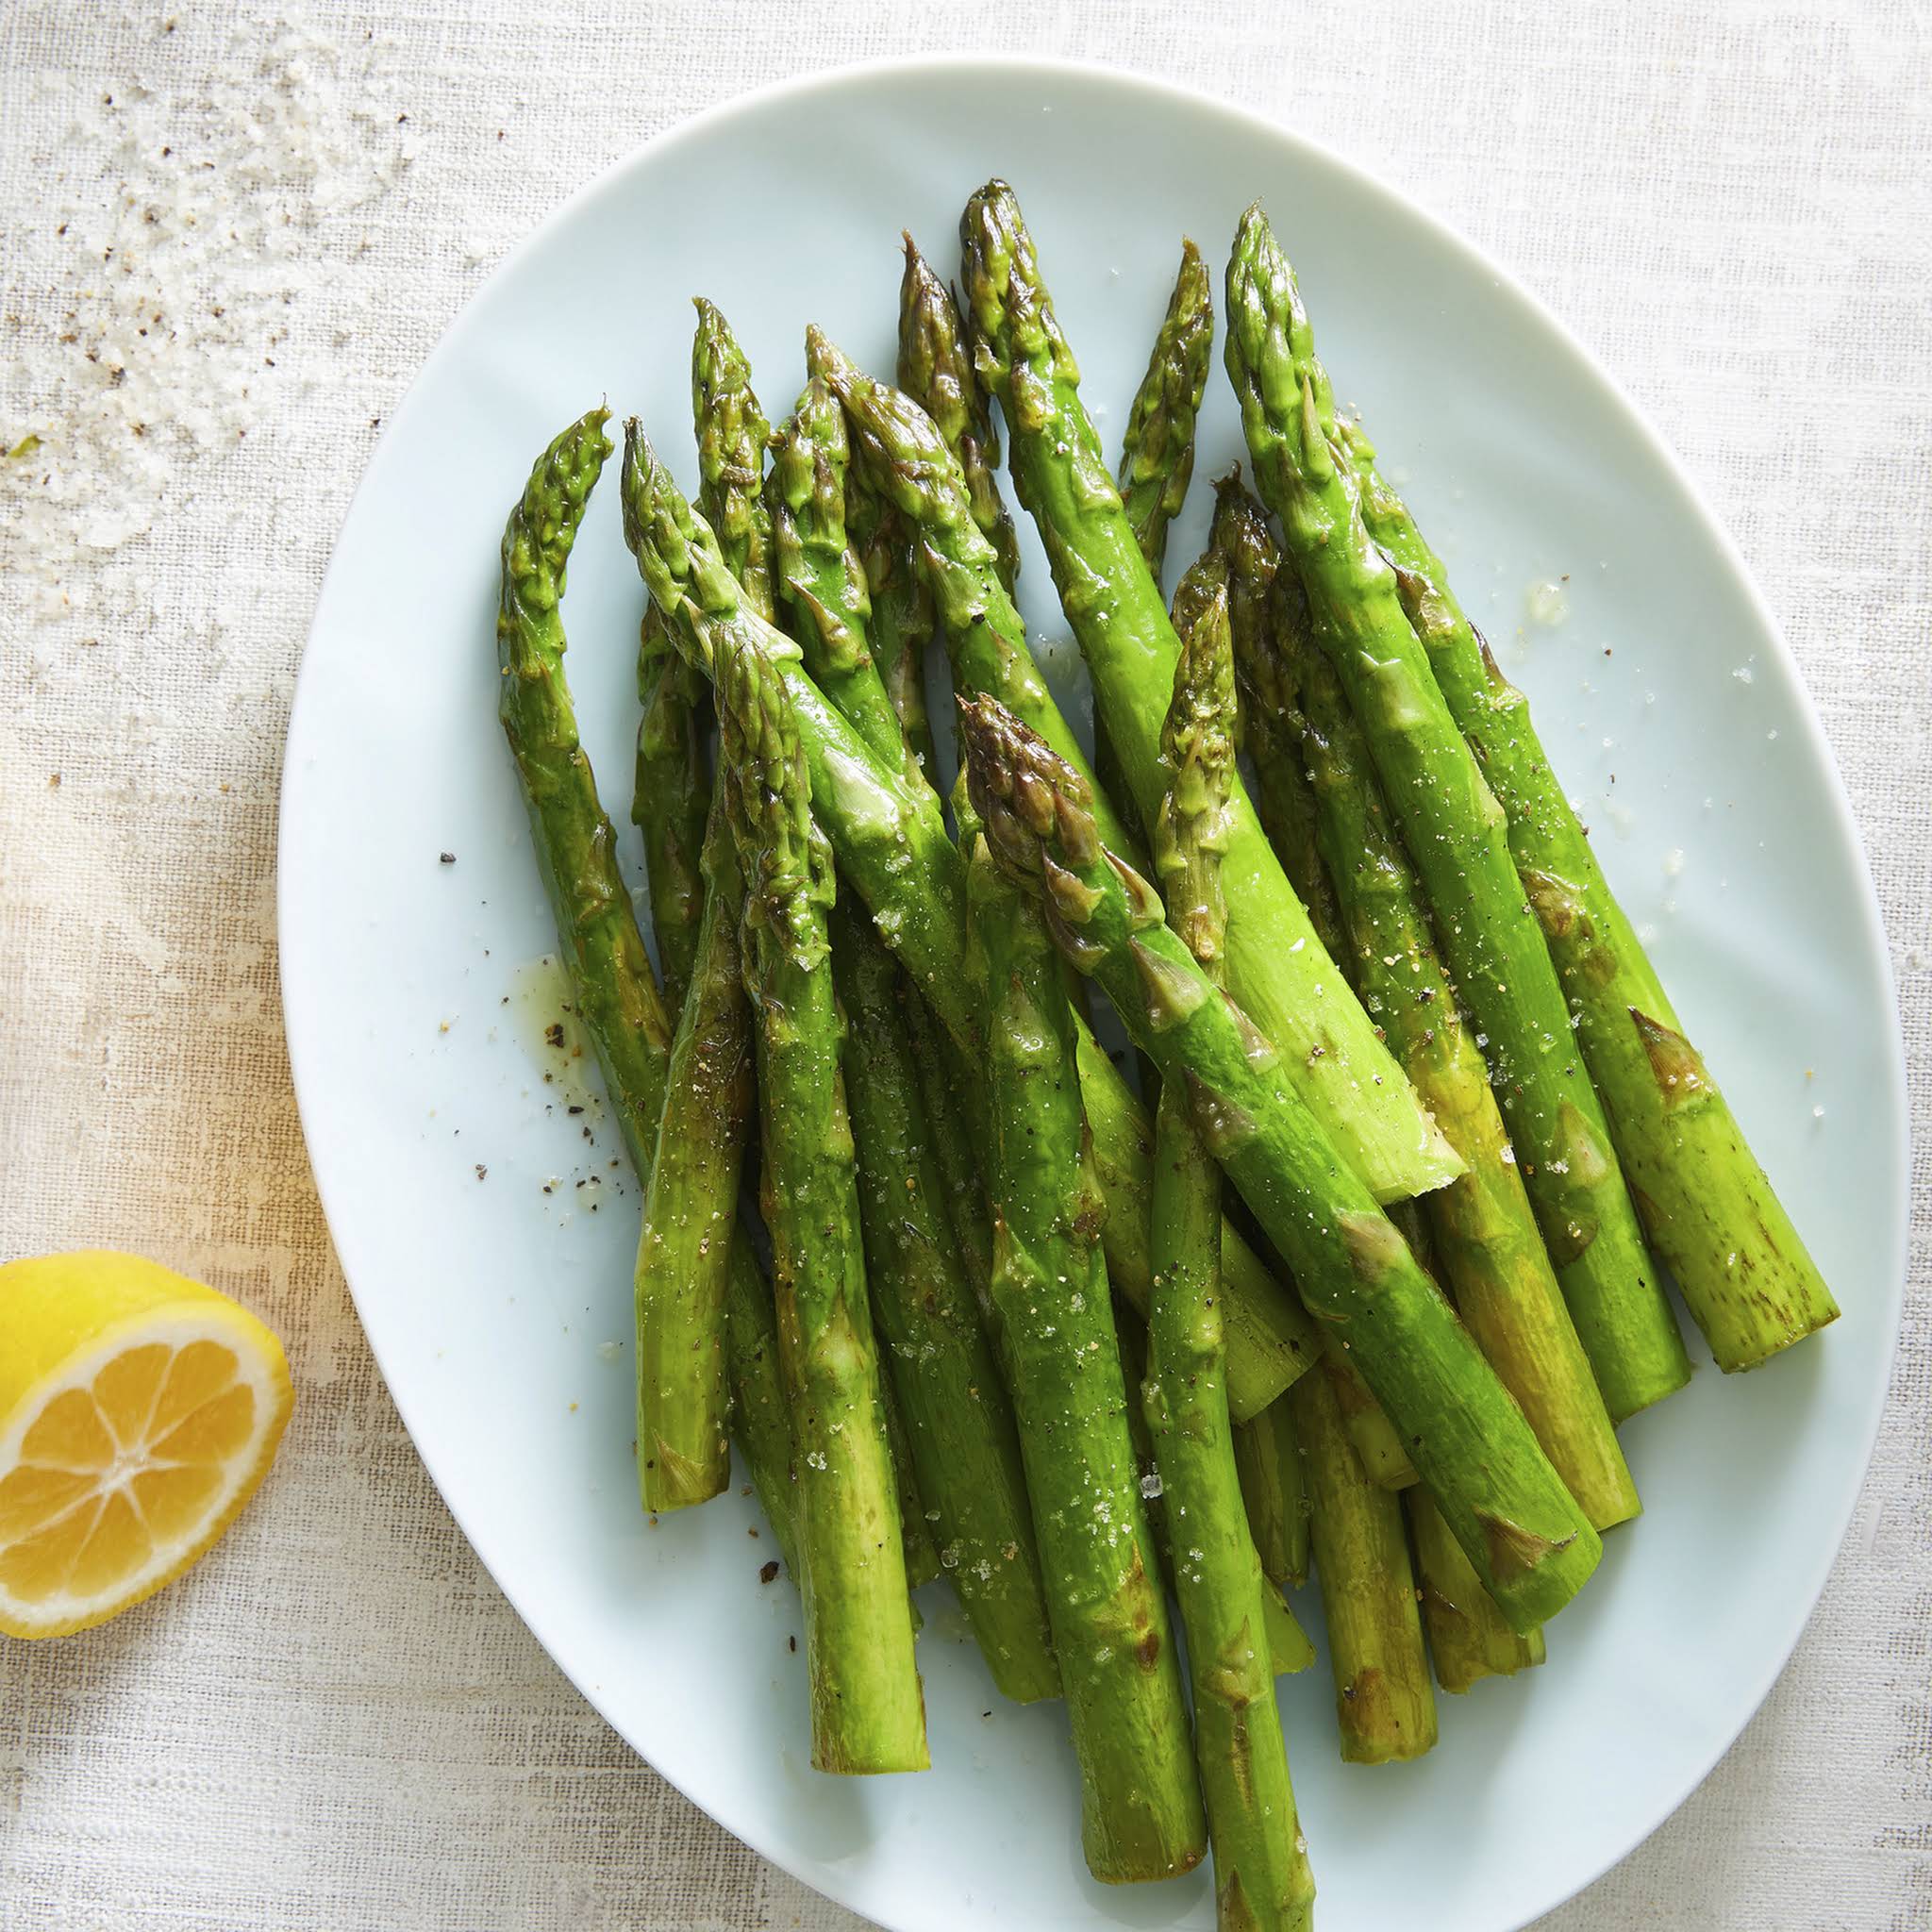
[499, 1311]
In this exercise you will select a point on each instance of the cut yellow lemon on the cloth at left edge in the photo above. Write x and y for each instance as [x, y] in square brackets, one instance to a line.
[138, 1415]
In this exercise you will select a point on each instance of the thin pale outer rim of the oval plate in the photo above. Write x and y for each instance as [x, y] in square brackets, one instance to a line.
[1019, 69]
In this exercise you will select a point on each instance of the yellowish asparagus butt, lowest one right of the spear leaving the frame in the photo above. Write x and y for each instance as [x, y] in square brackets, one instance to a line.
[1384, 1707]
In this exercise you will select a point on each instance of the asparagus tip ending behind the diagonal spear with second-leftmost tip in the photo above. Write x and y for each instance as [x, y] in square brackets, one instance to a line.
[822, 582]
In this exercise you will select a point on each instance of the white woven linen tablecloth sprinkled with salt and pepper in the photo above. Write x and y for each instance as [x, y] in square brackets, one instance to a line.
[337, 1722]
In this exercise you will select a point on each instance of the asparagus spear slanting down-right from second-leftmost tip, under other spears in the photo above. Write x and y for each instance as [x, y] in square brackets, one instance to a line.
[894, 849]
